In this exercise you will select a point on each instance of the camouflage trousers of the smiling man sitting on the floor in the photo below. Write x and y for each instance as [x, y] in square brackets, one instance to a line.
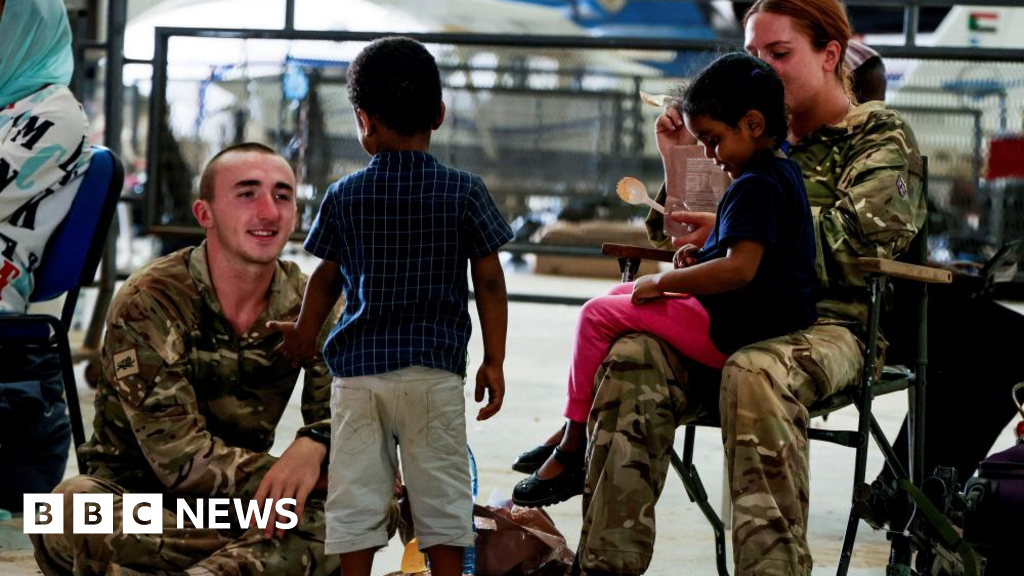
[193, 552]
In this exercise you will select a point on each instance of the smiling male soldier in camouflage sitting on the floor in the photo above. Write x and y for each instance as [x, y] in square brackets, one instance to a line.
[192, 391]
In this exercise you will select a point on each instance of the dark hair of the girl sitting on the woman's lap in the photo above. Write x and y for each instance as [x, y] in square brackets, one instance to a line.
[734, 86]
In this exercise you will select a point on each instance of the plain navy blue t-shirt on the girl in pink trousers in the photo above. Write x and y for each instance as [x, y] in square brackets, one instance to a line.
[767, 204]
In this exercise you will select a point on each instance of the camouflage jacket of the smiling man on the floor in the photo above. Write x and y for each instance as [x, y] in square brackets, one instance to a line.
[184, 405]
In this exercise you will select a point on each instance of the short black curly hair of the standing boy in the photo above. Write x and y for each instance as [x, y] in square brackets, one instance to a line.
[396, 79]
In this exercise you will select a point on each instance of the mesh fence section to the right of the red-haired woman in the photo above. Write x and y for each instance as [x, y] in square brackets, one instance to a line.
[963, 113]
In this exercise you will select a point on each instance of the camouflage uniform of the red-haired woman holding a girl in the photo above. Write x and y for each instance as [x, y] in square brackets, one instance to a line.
[865, 185]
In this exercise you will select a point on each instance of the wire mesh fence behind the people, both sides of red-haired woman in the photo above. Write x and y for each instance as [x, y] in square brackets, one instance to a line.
[551, 129]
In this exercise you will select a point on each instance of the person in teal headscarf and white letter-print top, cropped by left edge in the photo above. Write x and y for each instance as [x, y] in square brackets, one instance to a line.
[44, 156]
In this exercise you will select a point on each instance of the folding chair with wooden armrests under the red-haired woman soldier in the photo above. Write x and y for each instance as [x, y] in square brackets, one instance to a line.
[909, 377]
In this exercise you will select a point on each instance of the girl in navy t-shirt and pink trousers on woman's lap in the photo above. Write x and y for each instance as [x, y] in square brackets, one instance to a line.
[754, 278]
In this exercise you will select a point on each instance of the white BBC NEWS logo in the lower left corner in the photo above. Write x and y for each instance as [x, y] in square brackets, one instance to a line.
[144, 514]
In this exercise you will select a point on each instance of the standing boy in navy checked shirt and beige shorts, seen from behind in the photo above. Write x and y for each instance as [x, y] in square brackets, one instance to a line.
[396, 239]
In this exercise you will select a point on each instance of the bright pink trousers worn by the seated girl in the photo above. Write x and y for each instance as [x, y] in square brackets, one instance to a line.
[680, 320]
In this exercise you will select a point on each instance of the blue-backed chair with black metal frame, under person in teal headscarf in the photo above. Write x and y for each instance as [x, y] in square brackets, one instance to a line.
[69, 263]
